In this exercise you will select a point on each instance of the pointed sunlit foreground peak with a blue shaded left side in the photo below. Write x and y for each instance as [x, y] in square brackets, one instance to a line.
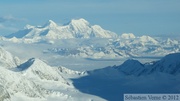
[35, 68]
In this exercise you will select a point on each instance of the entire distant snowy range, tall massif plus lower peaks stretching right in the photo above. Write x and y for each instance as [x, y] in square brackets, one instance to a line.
[93, 41]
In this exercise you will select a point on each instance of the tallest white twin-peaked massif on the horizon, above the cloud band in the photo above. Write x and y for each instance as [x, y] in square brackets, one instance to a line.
[76, 28]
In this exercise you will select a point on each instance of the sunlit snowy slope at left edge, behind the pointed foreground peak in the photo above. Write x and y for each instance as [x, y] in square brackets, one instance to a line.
[7, 60]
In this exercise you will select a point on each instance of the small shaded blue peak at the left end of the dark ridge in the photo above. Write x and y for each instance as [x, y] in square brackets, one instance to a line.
[131, 67]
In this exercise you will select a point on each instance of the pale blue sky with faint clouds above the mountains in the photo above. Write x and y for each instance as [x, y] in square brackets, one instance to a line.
[141, 17]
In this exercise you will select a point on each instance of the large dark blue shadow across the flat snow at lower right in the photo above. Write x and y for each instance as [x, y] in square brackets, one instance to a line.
[110, 84]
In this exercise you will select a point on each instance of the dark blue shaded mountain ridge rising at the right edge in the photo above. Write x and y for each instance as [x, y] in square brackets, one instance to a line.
[169, 64]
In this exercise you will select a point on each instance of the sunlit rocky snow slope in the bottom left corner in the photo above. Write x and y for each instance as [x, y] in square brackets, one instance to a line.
[12, 82]
